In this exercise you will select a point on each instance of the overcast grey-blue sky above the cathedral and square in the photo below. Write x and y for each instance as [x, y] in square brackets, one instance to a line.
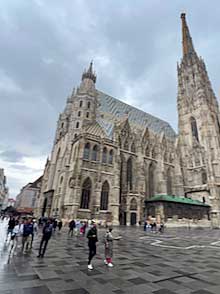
[46, 44]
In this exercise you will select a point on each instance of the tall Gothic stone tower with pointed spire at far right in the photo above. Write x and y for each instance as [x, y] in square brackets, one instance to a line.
[199, 127]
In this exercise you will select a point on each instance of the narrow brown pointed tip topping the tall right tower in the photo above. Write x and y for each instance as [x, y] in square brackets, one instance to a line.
[187, 43]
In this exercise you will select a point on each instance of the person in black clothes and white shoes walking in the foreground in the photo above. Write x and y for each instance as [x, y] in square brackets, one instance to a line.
[92, 236]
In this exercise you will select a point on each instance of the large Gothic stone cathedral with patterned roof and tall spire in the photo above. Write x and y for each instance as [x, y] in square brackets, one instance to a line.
[115, 163]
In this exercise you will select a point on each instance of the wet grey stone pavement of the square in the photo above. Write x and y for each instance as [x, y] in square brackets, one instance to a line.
[179, 261]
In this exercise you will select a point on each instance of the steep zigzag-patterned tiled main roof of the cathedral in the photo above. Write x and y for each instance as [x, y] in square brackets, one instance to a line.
[111, 108]
